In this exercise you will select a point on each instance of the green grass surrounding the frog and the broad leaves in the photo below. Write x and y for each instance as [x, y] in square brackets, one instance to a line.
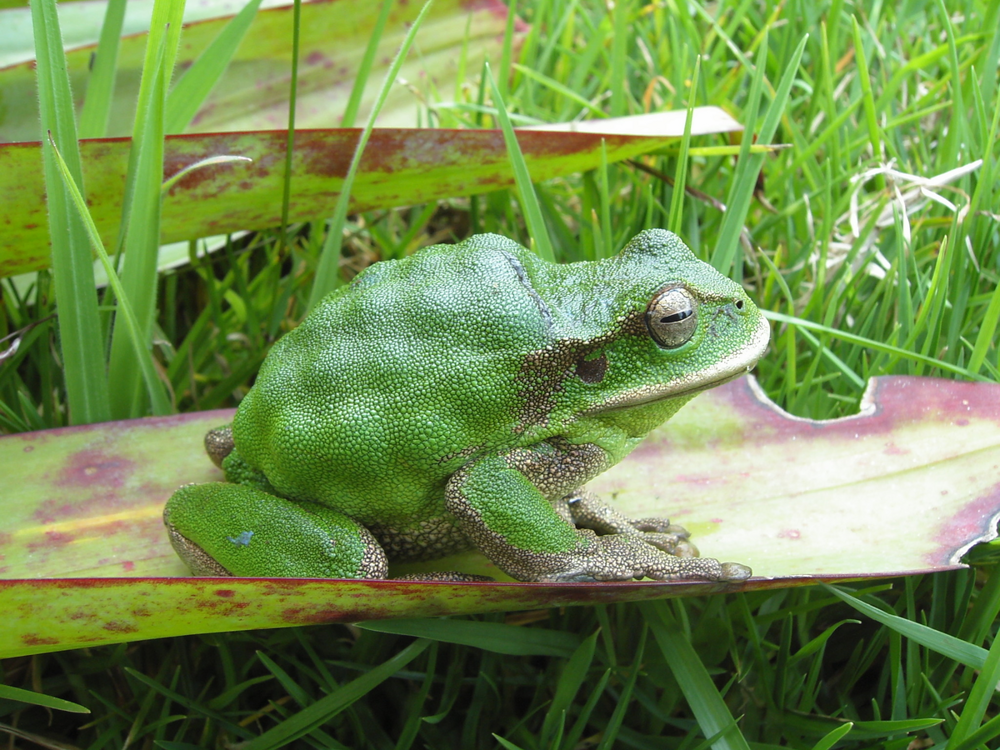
[866, 271]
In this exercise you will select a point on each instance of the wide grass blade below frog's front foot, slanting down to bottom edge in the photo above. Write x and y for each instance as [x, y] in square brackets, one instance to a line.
[706, 703]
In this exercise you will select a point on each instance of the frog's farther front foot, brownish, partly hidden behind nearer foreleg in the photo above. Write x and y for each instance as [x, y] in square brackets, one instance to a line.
[585, 511]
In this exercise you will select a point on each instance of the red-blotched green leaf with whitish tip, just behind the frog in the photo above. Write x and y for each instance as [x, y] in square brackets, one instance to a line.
[400, 166]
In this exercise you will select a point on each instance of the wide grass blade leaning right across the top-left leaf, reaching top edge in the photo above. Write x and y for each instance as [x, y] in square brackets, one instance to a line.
[194, 86]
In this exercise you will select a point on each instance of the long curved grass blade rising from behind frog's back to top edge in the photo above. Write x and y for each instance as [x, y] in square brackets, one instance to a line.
[328, 272]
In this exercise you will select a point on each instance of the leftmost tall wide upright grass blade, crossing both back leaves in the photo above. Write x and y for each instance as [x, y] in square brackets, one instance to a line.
[79, 324]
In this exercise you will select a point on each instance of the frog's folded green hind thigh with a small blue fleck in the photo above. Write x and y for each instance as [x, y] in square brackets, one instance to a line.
[230, 529]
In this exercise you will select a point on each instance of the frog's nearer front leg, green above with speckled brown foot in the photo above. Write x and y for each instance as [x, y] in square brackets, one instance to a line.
[500, 506]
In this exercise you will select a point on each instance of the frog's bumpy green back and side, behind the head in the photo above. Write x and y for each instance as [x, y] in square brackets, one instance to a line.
[396, 379]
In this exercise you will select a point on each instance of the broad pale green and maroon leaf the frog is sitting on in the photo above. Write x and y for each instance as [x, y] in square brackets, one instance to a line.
[904, 487]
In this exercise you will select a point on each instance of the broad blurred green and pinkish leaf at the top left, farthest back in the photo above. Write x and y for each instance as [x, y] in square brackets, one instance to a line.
[253, 92]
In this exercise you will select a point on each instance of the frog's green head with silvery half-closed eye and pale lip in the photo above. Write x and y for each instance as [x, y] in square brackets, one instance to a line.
[648, 329]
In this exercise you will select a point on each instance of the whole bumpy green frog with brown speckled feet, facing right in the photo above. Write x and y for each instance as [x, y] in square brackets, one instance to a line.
[460, 398]
